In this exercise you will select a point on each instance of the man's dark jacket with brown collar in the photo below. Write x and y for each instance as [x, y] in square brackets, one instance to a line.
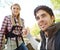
[53, 38]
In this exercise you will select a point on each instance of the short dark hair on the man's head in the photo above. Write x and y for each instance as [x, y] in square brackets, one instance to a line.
[45, 8]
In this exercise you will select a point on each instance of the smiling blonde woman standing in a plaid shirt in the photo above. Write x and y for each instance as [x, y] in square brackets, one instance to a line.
[9, 23]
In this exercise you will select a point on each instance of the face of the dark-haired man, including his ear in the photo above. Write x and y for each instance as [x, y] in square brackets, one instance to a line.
[44, 20]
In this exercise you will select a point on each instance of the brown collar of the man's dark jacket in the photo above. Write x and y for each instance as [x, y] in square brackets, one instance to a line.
[53, 29]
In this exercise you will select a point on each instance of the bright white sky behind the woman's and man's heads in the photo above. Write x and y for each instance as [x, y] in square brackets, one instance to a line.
[27, 9]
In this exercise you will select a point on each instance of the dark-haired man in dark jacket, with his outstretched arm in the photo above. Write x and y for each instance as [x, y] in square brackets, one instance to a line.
[50, 31]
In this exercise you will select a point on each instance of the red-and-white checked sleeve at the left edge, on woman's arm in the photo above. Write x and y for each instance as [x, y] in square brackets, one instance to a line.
[2, 31]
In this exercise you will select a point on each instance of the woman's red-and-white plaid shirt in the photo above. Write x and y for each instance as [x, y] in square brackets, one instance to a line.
[6, 25]
